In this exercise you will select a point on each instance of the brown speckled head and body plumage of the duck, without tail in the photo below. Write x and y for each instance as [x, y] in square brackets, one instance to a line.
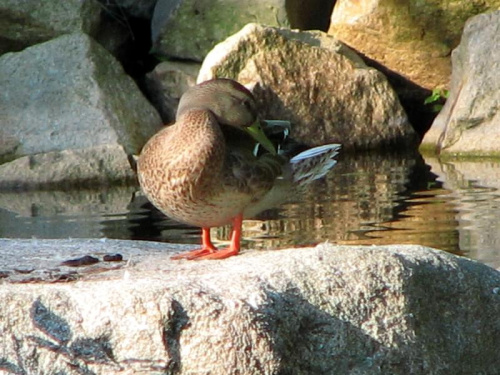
[192, 173]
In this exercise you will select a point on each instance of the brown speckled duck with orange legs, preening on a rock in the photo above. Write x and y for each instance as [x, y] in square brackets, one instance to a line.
[215, 164]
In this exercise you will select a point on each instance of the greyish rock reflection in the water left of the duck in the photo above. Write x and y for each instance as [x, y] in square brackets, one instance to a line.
[61, 214]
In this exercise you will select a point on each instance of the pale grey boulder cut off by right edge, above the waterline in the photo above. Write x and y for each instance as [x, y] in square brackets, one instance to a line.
[470, 121]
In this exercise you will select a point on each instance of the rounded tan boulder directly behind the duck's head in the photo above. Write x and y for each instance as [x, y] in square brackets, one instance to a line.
[317, 83]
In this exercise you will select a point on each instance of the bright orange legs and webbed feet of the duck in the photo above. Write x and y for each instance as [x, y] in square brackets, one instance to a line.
[209, 251]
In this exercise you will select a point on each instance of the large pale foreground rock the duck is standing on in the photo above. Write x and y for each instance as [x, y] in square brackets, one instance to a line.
[329, 309]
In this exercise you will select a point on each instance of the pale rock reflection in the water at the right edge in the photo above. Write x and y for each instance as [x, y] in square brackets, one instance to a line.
[474, 185]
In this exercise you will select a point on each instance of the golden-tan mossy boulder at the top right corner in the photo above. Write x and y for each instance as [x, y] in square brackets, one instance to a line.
[412, 38]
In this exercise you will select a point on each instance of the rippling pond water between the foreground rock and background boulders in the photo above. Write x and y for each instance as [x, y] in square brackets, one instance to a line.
[367, 199]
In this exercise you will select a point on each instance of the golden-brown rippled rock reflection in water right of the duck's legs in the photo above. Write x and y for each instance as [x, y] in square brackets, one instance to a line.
[360, 198]
